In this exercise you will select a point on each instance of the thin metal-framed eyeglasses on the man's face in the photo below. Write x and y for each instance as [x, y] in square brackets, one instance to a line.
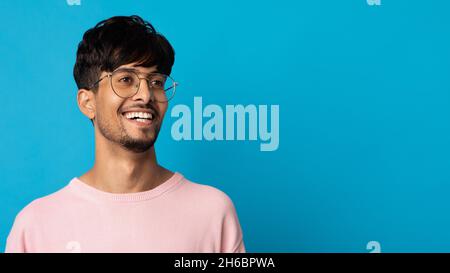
[125, 83]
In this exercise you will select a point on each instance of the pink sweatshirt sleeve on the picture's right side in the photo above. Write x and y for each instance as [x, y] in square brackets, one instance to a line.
[232, 237]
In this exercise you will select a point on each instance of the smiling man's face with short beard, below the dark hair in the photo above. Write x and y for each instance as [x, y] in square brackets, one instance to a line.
[111, 111]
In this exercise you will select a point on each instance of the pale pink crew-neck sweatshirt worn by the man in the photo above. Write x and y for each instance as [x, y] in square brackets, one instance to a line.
[177, 216]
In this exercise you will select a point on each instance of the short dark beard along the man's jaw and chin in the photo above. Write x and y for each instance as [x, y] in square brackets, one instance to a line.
[124, 139]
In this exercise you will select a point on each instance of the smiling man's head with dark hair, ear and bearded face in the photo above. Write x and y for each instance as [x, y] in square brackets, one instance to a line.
[113, 44]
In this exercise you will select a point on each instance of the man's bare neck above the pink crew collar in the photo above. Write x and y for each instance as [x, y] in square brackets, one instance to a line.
[118, 170]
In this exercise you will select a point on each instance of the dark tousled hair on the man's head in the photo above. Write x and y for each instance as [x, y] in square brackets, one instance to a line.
[117, 41]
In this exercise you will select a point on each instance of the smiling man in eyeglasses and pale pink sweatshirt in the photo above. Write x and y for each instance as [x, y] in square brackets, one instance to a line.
[127, 202]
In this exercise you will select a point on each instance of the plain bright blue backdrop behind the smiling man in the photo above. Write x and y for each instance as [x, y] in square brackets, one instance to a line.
[364, 101]
